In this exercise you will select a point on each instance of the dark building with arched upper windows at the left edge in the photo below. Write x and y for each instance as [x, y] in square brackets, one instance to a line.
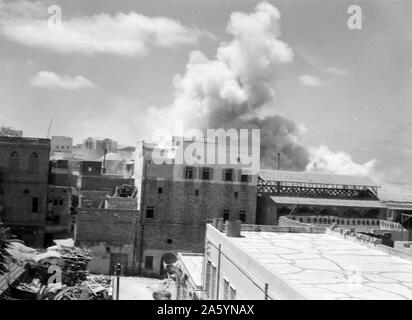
[24, 167]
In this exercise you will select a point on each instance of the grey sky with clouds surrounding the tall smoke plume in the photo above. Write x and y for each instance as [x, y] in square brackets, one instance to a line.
[113, 64]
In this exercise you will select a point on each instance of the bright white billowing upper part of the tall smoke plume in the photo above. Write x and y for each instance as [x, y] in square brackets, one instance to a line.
[239, 80]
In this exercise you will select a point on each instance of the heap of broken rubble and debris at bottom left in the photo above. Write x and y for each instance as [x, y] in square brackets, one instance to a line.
[63, 262]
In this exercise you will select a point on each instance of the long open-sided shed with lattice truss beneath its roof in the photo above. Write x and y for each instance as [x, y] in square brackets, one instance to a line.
[308, 196]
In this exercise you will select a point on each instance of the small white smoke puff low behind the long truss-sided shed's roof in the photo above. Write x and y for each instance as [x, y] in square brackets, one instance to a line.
[322, 159]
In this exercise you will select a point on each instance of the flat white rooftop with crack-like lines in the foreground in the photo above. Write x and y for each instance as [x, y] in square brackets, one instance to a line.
[319, 266]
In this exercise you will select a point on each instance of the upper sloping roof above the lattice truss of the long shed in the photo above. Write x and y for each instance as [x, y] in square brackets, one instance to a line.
[315, 177]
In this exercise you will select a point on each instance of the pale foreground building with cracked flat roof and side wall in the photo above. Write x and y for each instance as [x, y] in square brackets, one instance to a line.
[272, 262]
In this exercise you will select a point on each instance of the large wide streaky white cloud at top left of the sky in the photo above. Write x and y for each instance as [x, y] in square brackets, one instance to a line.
[120, 34]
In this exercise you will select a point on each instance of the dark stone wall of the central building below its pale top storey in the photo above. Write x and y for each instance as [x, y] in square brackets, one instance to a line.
[180, 214]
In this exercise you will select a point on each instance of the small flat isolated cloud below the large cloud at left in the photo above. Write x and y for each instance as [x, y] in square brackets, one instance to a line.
[51, 80]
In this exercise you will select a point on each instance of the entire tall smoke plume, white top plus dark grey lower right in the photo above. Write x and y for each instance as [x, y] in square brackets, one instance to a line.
[231, 90]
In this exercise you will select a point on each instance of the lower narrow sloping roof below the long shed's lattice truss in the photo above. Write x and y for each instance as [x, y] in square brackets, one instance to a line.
[328, 202]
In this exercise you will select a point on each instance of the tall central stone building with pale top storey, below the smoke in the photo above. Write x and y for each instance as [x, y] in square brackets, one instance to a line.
[176, 198]
